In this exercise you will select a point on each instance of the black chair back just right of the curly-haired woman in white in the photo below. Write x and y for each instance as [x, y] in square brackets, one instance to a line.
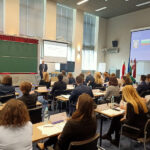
[35, 114]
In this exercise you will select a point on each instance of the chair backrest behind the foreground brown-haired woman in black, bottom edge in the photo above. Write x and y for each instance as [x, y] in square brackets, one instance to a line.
[89, 144]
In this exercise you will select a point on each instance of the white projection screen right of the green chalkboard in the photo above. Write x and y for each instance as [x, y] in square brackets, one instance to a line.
[55, 52]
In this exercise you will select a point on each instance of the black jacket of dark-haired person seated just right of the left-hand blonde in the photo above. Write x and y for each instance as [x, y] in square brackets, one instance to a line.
[59, 85]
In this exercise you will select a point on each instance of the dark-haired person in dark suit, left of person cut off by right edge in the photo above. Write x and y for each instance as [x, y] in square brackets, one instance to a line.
[142, 87]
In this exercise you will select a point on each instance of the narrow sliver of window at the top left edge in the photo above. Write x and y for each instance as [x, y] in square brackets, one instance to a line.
[1, 15]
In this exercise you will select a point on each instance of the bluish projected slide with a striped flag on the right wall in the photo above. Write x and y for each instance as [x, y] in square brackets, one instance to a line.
[140, 45]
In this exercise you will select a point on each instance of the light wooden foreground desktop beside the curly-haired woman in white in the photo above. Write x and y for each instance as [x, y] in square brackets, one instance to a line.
[37, 133]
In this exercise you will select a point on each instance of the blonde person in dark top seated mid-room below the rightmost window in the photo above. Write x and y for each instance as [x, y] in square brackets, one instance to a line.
[98, 81]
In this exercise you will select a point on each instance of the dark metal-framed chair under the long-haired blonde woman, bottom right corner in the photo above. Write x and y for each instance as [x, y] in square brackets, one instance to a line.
[135, 135]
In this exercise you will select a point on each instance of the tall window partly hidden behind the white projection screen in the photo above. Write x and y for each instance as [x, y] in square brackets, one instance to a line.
[64, 29]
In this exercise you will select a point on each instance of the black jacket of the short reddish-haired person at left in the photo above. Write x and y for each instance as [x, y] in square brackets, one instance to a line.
[29, 100]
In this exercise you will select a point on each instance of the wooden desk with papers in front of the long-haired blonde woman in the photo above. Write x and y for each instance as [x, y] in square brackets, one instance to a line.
[105, 111]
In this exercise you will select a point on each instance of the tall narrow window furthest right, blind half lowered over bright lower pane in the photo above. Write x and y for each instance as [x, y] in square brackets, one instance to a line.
[88, 52]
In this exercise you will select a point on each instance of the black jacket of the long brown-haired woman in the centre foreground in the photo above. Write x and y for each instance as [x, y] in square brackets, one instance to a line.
[76, 131]
